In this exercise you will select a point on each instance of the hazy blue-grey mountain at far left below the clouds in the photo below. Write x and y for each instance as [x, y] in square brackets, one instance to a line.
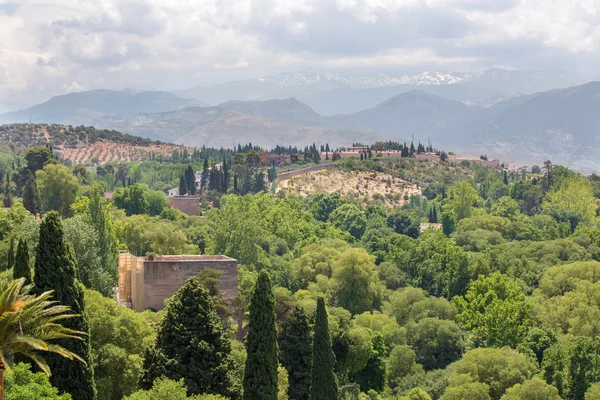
[83, 107]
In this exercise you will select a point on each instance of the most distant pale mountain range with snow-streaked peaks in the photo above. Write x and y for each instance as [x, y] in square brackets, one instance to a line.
[334, 93]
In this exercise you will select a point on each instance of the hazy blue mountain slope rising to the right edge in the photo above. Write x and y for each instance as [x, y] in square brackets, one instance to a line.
[561, 125]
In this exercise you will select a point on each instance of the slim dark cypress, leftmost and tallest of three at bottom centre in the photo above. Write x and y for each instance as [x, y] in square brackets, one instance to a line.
[260, 375]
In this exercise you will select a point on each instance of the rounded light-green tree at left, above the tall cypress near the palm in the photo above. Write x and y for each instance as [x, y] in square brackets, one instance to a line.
[58, 189]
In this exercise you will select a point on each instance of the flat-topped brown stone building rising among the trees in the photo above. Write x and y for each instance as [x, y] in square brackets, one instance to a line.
[145, 282]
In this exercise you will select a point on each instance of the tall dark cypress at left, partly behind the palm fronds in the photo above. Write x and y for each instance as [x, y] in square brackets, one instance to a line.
[55, 269]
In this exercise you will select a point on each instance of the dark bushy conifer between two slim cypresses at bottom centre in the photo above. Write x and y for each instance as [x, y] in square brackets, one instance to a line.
[296, 354]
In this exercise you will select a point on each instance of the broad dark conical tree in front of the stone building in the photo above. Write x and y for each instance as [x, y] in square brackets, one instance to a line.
[192, 345]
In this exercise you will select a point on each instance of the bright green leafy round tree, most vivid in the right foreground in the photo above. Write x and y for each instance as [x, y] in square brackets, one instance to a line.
[495, 310]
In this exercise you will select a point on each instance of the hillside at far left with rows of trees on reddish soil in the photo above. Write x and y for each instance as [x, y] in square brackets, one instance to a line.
[85, 144]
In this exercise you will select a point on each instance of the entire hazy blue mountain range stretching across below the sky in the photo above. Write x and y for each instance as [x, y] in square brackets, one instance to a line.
[520, 116]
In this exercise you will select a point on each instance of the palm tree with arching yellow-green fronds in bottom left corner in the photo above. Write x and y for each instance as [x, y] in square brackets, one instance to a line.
[28, 323]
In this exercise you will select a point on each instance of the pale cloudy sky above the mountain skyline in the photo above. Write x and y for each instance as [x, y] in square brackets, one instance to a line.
[49, 47]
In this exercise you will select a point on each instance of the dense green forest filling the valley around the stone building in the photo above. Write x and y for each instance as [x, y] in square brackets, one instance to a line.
[484, 287]
